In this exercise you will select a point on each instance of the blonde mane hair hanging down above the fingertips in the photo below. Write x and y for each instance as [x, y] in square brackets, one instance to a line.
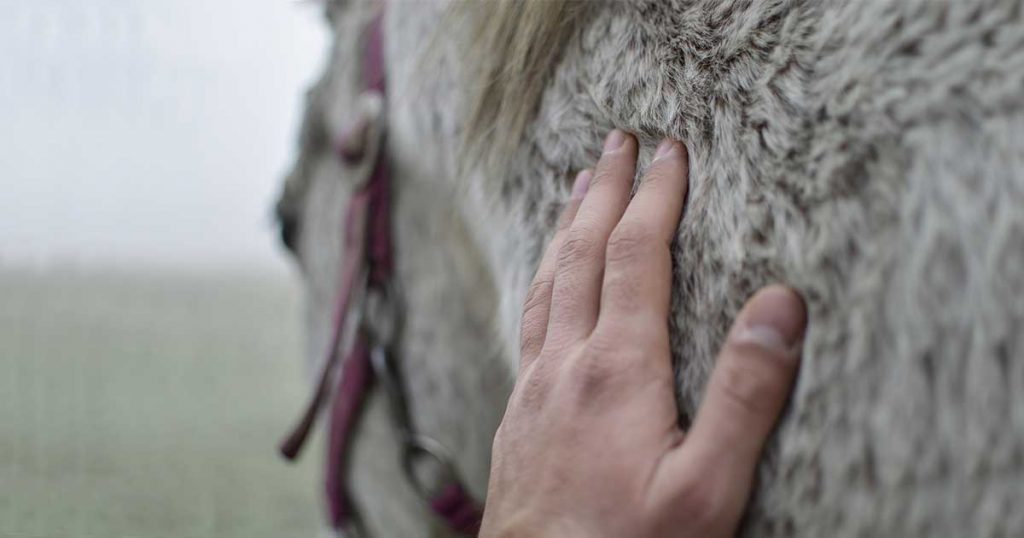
[514, 48]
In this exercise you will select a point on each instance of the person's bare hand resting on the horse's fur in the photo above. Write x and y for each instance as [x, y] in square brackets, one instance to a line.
[590, 445]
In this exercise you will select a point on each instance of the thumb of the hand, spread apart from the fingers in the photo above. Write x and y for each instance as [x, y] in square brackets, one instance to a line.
[747, 392]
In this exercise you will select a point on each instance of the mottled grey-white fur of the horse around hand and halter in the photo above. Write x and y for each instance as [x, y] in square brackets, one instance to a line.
[866, 152]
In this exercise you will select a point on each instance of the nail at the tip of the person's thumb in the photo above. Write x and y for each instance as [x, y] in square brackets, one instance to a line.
[776, 320]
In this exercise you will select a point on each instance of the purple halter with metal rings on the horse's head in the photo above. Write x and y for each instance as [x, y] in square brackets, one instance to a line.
[369, 297]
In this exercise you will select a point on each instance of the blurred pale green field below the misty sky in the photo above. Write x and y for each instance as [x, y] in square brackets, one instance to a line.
[150, 406]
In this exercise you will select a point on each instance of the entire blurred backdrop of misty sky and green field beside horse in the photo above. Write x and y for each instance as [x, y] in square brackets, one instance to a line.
[150, 326]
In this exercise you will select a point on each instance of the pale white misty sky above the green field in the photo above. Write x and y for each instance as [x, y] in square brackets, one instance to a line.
[151, 133]
